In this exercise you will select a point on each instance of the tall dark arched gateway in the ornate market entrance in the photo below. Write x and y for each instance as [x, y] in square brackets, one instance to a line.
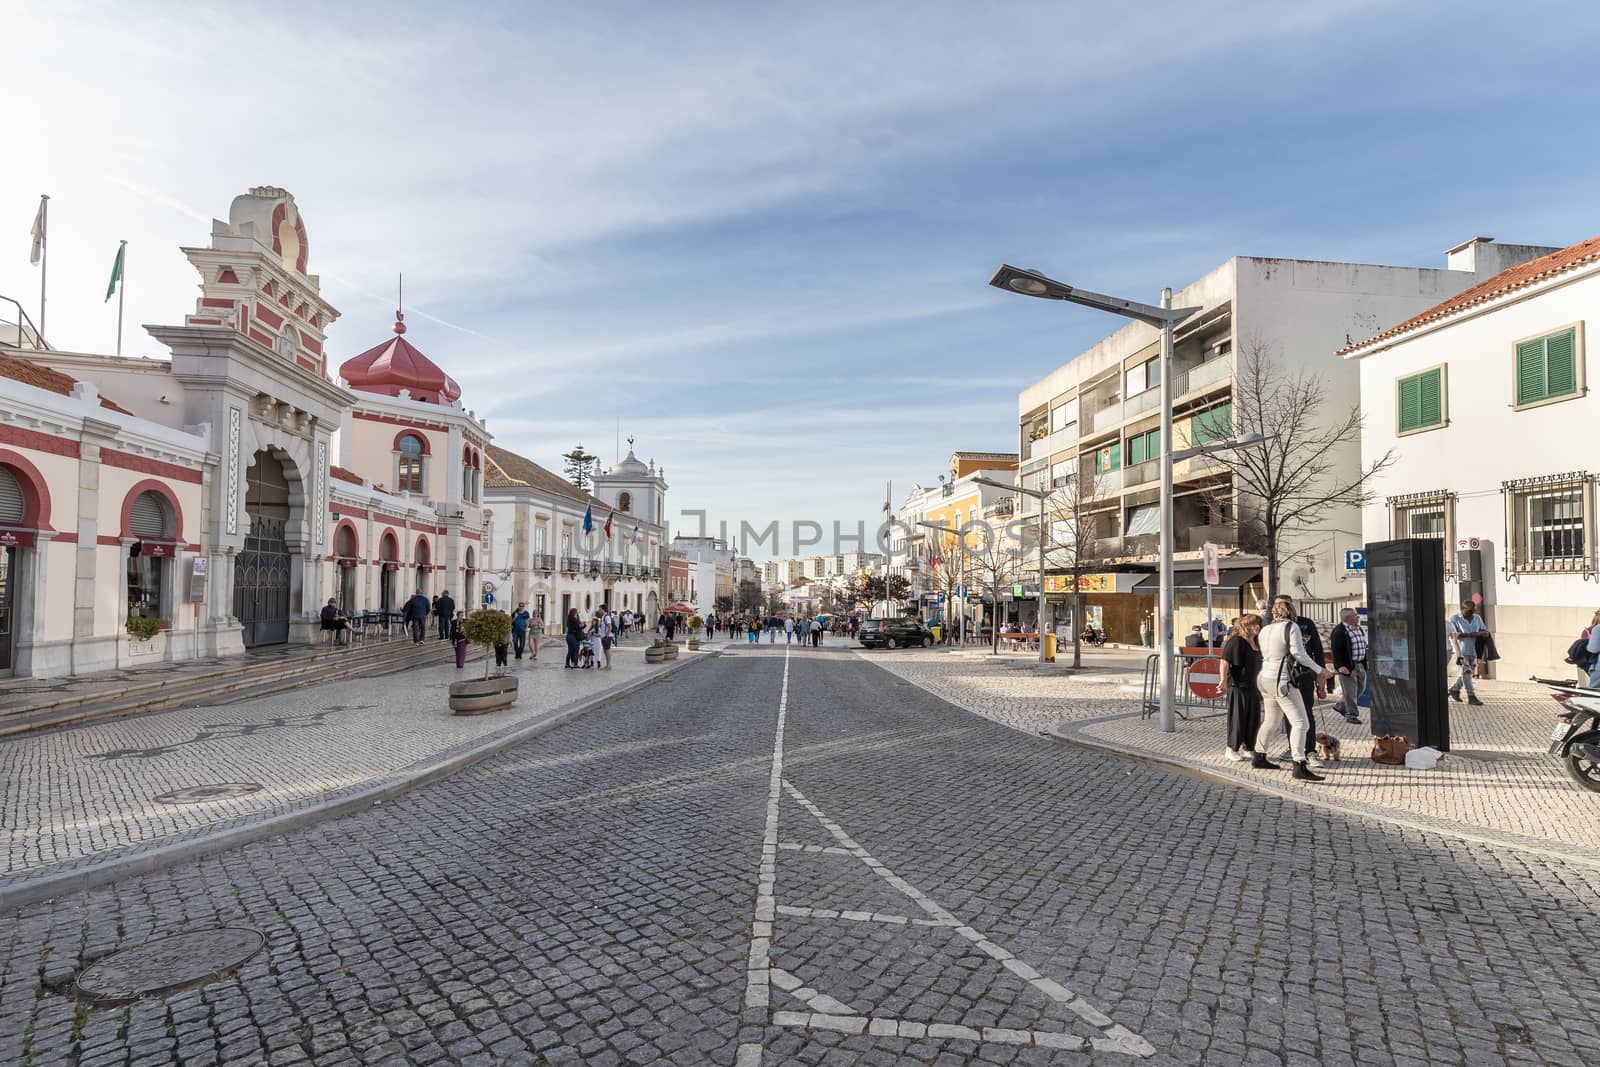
[262, 575]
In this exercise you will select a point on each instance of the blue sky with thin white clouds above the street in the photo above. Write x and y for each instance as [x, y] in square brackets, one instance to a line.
[759, 236]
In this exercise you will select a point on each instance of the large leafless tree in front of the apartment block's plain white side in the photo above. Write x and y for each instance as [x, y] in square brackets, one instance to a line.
[1300, 471]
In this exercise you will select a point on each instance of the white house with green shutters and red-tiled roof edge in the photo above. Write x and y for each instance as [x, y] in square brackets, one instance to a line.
[1484, 402]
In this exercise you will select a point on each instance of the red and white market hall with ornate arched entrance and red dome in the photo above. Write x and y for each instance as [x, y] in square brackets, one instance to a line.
[231, 490]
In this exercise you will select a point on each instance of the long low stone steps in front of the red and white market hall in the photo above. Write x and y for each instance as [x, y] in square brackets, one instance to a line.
[257, 674]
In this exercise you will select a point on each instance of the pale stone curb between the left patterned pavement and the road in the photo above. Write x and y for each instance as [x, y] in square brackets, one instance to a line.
[49, 887]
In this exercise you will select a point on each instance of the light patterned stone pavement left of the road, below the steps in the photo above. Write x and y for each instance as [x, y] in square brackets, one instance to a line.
[124, 788]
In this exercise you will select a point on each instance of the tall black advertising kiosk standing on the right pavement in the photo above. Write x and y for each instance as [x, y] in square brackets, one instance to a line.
[1410, 658]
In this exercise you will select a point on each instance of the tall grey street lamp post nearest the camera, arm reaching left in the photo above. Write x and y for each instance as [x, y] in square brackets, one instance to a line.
[1164, 319]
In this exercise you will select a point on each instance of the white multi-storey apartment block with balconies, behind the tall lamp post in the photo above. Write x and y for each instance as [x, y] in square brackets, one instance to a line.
[1097, 418]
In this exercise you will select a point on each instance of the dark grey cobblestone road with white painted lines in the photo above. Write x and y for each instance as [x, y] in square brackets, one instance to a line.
[798, 858]
